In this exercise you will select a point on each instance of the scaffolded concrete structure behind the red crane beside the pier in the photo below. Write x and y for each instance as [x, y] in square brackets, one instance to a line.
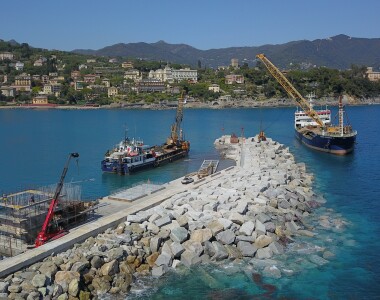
[23, 213]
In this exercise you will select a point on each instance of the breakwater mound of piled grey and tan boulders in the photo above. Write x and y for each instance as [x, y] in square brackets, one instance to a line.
[251, 213]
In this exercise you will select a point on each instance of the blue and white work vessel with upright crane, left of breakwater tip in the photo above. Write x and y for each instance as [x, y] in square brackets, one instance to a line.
[131, 155]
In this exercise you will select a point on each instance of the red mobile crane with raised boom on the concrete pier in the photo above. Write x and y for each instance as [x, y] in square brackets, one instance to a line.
[46, 232]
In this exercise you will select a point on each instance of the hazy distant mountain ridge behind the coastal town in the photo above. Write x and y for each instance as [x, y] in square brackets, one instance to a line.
[338, 52]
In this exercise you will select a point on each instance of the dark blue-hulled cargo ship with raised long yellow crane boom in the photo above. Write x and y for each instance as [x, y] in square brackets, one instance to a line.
[313, 127]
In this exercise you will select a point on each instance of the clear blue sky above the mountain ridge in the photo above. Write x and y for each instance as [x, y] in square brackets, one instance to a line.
[203, 24]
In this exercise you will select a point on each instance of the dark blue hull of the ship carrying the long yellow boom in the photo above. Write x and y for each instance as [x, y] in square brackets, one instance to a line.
[331, 144]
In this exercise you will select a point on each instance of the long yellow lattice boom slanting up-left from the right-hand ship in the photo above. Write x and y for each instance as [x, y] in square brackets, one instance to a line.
[290, 89]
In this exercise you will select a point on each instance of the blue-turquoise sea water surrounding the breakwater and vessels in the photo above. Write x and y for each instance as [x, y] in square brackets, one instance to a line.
[35, 145]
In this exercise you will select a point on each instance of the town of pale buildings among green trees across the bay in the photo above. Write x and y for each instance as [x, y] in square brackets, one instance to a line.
[30, 78]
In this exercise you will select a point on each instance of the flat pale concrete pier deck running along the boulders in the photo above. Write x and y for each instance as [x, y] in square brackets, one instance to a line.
[115, 212]
